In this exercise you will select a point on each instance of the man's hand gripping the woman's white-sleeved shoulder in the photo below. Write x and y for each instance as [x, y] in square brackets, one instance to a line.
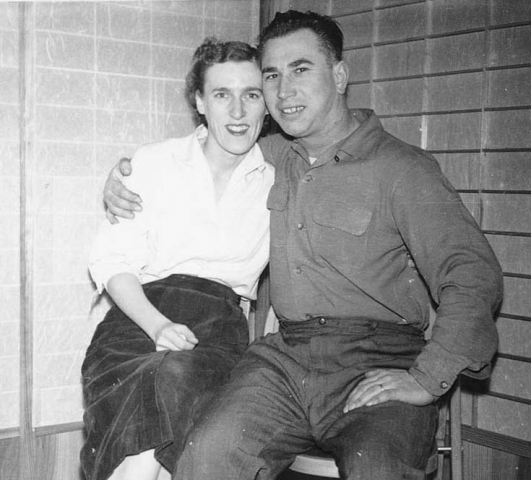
[120, 201]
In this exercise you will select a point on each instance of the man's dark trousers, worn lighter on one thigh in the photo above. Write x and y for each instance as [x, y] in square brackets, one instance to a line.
[288, 392]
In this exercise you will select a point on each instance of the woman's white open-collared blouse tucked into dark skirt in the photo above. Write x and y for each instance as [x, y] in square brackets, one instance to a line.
[182, 229]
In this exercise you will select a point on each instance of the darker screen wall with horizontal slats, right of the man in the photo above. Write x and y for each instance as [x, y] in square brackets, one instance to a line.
[454, 77]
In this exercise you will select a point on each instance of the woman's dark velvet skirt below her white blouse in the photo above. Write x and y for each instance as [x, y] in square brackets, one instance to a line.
[138, 399]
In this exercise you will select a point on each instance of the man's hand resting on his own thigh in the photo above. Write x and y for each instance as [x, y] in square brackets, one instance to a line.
[380, 386]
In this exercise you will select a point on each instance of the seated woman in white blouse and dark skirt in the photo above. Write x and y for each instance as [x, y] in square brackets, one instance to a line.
[176, 274]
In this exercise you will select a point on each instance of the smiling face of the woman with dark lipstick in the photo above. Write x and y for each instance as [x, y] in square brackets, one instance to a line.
[233, 105]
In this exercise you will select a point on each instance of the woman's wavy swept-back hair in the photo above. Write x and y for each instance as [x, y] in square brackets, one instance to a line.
[211, 52]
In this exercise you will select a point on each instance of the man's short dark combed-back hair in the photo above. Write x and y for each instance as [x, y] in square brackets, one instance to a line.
[326, 28]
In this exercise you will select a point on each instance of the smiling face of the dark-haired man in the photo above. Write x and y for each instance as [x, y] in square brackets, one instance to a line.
[301, 85]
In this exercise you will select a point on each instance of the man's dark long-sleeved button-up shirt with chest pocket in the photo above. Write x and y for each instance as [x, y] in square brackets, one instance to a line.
[374, 230]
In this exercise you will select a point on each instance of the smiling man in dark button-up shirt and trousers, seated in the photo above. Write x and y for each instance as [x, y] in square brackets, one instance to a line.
[365, 233]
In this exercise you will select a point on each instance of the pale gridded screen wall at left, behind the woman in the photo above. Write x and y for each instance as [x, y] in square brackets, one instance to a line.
[82, 83]
